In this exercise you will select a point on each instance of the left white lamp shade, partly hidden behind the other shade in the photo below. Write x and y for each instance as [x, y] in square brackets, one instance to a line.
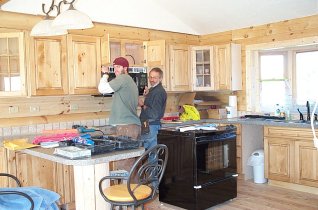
[45, 28]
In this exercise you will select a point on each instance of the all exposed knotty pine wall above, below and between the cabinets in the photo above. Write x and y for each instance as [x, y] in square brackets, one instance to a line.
[57, 109]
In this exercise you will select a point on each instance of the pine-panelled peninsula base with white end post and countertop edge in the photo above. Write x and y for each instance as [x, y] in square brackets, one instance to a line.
[36, 163]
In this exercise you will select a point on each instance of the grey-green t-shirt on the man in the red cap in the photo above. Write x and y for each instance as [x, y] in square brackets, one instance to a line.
[125, 101]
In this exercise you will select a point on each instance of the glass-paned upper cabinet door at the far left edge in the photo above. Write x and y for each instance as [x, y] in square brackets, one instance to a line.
[12, 64]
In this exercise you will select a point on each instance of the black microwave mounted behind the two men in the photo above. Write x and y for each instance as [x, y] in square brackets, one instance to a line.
[138, 74]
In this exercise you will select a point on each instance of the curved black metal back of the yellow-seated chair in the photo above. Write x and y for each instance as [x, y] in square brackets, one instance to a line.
[148, 170]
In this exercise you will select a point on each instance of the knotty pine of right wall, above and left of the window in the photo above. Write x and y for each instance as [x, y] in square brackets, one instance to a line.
[268, 33]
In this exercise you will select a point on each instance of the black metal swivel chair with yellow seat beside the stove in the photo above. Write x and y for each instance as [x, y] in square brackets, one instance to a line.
[142, 183]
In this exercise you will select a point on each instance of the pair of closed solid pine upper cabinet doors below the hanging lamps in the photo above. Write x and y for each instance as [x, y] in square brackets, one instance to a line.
[65, 65]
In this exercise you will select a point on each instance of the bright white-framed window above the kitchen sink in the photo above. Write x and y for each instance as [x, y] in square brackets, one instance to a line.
[282, 75]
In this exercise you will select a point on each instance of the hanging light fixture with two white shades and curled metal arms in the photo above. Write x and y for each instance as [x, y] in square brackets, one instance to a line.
[70, 19]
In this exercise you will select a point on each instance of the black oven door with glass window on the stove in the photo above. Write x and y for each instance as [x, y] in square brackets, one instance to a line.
[215, 158]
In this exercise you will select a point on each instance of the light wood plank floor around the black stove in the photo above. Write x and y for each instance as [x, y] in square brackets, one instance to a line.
[259, 197]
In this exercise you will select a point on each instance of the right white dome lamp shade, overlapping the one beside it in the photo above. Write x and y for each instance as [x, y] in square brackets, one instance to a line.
[72, 19]
